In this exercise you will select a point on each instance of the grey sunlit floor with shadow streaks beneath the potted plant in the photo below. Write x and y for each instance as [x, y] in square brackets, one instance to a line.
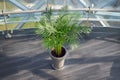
[97, 58]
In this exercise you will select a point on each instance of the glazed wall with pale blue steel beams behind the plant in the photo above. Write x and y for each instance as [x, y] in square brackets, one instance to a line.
[104, 13]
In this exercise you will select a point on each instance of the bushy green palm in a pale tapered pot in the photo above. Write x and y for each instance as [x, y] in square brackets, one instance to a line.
[57, 30]
